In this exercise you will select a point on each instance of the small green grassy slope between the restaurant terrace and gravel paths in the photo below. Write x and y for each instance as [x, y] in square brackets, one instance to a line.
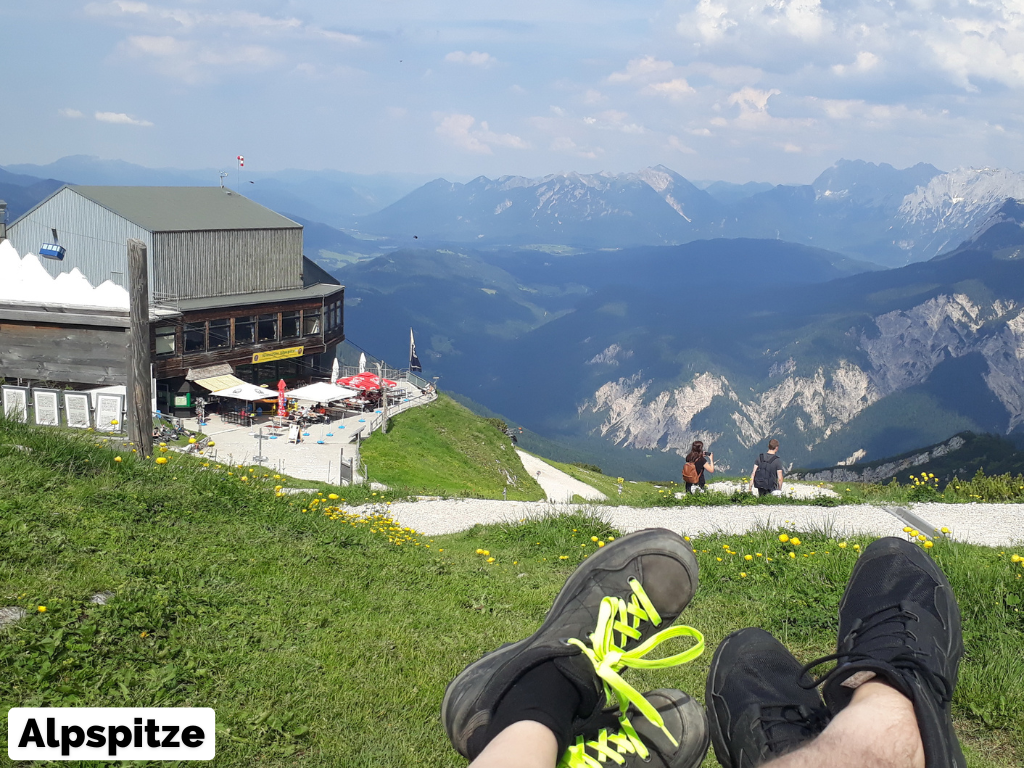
[444, 449]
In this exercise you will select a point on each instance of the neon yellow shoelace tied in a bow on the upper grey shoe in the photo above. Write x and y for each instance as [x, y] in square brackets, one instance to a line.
[610, 659]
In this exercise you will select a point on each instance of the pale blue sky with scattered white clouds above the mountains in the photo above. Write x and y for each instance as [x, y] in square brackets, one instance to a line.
[739, 91]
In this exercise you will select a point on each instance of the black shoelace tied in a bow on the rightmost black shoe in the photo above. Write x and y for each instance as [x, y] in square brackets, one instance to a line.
[905, 661]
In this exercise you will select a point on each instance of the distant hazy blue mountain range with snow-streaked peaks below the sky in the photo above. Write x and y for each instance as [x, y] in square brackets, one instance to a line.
[872, 212]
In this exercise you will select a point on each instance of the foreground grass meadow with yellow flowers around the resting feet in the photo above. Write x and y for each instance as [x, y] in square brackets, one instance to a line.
[321, 642]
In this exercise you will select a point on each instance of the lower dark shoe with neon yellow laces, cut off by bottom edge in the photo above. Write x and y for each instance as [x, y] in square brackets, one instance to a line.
[620, 743]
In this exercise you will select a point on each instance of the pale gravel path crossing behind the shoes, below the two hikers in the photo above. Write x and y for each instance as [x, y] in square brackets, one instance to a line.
[994, 525]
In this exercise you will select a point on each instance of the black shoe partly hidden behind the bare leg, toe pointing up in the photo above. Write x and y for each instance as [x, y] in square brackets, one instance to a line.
[757, 707]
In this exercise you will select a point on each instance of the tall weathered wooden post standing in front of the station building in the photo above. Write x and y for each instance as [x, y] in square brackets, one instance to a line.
[140, 375]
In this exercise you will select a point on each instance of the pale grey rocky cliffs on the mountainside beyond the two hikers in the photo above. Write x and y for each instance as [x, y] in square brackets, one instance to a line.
[895, 352]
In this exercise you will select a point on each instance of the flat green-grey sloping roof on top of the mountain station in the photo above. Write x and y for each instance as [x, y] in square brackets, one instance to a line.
[176, 209]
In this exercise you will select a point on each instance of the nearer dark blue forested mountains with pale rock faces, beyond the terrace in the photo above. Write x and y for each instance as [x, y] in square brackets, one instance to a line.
[731, 342]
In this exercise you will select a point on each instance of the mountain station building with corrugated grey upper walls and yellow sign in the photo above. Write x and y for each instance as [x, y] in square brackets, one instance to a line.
[231, 292]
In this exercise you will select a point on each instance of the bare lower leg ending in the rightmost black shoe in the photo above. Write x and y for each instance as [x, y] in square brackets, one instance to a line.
[878, 730]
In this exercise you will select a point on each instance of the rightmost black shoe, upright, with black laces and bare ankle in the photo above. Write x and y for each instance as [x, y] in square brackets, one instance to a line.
[899, 621]
